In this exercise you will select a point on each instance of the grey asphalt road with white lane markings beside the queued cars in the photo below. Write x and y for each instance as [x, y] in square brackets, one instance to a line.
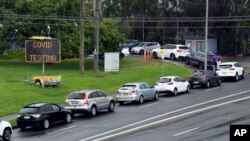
[203, 114]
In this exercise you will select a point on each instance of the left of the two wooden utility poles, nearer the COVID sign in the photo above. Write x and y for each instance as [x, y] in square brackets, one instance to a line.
[82, 37]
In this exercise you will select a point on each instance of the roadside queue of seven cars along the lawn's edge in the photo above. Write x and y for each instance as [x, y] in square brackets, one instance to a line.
[92, 101]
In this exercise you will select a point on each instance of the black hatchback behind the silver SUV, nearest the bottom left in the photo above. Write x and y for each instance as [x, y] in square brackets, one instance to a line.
[42, 115]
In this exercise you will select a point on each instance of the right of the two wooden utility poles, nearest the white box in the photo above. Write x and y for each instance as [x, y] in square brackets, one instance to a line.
[97, 34]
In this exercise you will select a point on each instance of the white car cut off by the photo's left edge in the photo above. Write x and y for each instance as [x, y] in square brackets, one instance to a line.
[5, 130]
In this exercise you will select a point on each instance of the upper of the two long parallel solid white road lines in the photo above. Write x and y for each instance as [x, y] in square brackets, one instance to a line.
[189, 107]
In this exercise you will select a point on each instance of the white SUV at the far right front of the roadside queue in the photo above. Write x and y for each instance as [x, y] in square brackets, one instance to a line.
[231, 70]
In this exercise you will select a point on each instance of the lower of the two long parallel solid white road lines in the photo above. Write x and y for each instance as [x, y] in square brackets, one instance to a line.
[132, 130]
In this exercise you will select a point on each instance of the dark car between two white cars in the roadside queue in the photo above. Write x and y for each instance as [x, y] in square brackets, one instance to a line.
[204, 78]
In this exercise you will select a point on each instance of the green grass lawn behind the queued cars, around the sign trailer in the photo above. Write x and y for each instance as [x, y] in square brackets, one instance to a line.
[14, 94]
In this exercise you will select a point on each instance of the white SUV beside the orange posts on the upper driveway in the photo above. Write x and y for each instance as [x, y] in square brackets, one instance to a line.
[172, 51]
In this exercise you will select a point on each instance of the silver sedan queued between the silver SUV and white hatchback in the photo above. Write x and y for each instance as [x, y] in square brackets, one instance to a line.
[136, 92]
